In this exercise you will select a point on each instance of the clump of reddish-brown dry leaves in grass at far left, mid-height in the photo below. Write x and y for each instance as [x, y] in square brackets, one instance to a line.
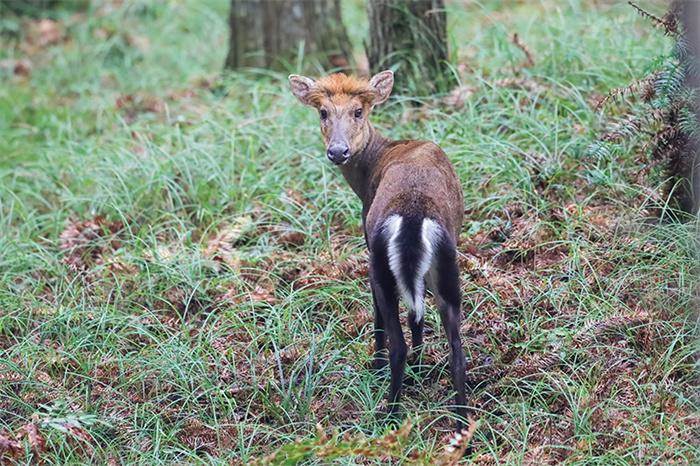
[88, 242]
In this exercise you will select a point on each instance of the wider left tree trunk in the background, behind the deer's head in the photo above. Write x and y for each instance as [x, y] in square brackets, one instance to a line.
[270, 34]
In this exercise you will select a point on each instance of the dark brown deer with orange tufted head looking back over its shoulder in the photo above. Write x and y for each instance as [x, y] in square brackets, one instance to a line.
[412, 209]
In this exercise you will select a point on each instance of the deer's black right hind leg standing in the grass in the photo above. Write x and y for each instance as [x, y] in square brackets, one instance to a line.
[448, 300]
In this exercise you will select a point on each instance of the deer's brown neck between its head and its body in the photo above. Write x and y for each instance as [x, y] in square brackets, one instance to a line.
[360, 169]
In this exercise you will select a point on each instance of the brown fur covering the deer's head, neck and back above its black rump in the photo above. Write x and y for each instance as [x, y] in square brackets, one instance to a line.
[404, 177]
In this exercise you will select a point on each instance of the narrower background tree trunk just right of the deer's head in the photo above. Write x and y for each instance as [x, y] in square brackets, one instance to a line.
[411, 38]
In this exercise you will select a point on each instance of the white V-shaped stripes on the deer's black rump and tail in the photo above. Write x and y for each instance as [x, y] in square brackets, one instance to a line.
[430, 235]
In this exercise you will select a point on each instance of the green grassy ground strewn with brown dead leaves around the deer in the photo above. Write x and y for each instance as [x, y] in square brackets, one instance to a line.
[182, 274]
